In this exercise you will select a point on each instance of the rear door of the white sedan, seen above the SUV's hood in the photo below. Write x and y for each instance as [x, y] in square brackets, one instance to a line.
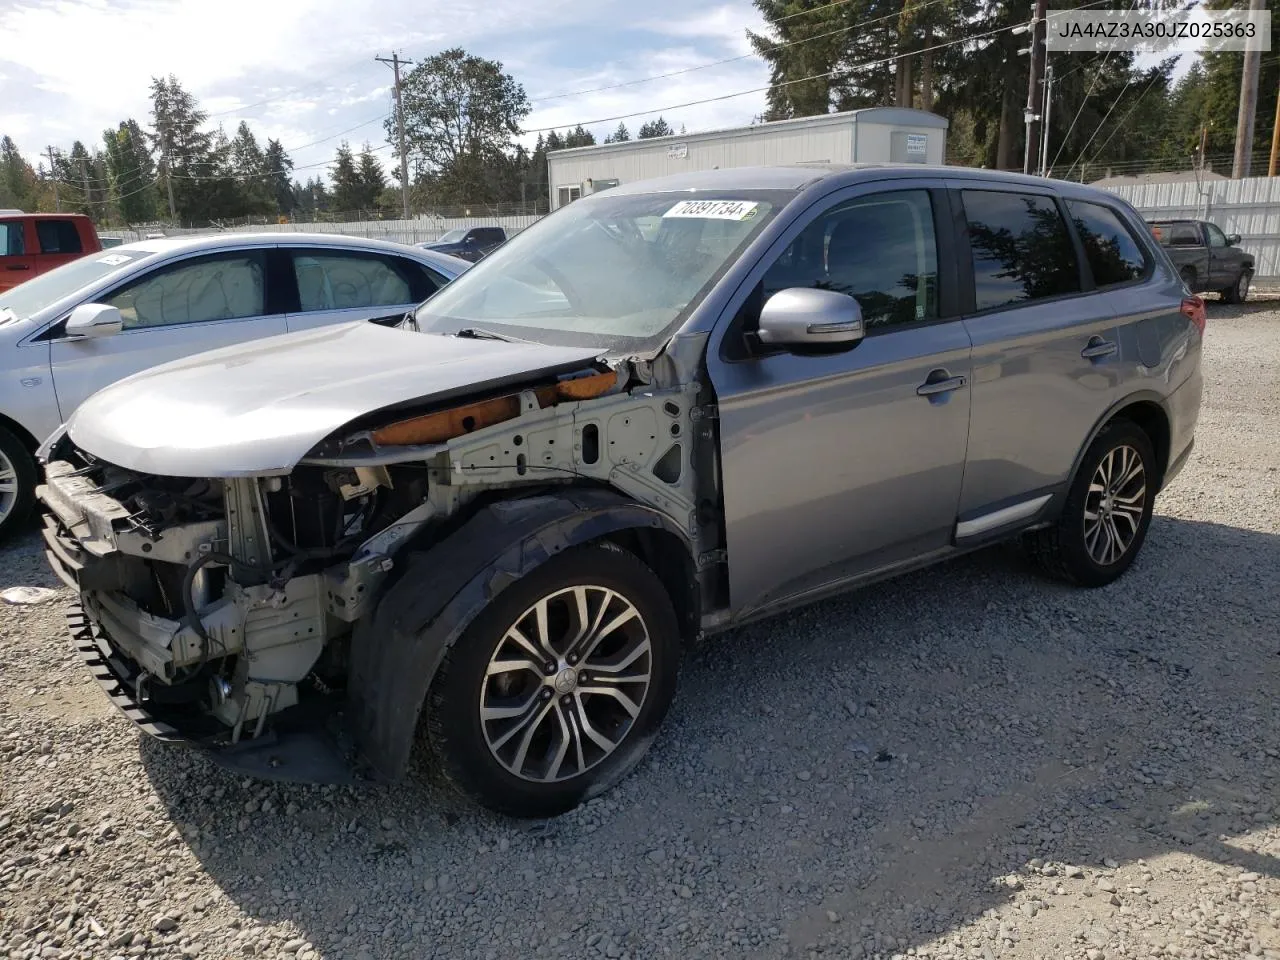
[340, 286]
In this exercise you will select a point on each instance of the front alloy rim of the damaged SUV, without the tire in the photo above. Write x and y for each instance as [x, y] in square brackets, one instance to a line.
[565, 684]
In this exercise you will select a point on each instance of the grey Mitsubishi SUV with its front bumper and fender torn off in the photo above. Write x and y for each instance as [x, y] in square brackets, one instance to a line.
[665, 410]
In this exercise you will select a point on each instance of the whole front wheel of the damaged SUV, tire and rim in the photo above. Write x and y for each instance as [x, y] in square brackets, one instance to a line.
[557, 689]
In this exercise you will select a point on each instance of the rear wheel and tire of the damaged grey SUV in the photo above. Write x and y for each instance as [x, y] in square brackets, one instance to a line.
[1108, 511]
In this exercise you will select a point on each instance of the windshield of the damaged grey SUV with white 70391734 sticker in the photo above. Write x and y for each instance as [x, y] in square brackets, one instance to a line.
[610, 271]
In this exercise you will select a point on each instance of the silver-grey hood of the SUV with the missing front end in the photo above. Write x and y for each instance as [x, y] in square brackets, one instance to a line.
[259, 408]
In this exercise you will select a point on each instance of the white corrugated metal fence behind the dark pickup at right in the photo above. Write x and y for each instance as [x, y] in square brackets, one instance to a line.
[1249, 207]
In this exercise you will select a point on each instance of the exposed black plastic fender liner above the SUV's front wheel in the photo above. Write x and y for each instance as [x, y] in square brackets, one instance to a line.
[397, 651]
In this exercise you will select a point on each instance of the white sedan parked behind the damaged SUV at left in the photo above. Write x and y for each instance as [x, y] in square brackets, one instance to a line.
[71, 332]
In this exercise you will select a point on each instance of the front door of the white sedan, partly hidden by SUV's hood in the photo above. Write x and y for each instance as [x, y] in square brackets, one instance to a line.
[175, 312]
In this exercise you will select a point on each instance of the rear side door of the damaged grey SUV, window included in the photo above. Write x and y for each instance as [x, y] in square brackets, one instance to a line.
[1045, 353]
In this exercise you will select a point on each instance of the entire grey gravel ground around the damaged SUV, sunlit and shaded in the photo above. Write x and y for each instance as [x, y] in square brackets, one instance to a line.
[968, 762]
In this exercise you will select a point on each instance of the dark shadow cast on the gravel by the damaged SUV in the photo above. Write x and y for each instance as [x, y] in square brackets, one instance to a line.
[851, 778]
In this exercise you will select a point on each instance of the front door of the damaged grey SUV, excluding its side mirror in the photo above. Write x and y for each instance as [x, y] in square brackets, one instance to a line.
[836, 465]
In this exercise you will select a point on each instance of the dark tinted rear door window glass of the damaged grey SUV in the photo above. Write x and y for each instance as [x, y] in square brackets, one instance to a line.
[1021, 249]
